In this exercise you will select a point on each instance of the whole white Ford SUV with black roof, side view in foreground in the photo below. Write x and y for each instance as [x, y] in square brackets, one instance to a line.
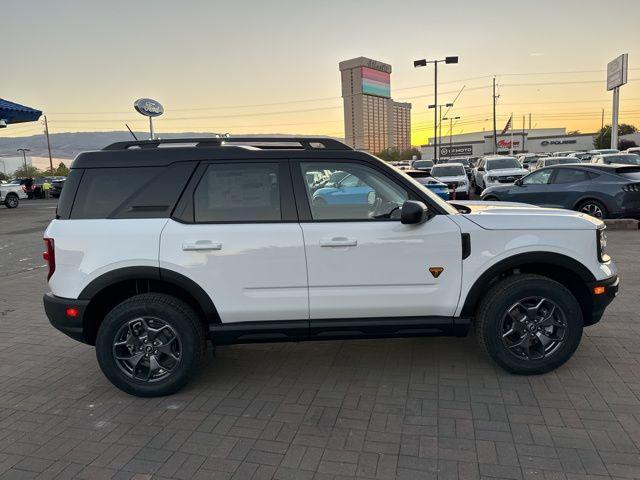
[156, 250]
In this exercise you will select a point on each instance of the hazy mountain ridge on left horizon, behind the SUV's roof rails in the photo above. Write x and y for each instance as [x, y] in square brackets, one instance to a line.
[68, 145]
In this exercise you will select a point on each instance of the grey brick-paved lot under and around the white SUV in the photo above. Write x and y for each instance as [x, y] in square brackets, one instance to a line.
[406, 408]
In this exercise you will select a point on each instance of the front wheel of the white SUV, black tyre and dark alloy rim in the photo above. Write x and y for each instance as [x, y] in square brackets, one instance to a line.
[529, 324]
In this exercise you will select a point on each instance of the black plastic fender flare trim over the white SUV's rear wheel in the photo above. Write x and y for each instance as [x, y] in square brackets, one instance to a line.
[152, 273]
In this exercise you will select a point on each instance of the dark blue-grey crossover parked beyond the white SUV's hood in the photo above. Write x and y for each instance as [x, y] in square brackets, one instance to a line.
[602, 191]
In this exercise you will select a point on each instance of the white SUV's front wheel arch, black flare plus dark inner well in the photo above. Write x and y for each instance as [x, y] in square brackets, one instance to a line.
[561, 268]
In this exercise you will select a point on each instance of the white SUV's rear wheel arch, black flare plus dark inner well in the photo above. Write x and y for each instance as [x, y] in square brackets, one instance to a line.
[112, 288]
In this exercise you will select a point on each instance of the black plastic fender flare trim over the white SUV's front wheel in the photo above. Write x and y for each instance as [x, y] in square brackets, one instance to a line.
[527, 258]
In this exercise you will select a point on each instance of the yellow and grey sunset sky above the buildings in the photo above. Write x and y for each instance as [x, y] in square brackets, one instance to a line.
[272, 67]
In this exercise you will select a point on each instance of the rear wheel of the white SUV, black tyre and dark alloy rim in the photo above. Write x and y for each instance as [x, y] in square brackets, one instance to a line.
[150, 345]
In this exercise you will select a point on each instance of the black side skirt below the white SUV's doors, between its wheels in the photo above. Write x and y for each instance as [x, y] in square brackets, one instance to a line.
[336, 329]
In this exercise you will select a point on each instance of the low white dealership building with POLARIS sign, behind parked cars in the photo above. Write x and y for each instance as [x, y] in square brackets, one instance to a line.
[547, 140]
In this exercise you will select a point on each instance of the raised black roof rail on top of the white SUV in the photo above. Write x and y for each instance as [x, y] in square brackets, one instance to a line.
[306, 143]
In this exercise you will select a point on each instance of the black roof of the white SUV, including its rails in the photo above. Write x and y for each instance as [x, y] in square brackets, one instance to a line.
[148, 153]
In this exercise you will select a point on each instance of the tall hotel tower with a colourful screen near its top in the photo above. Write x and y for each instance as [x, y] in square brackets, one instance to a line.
[372, 120]
